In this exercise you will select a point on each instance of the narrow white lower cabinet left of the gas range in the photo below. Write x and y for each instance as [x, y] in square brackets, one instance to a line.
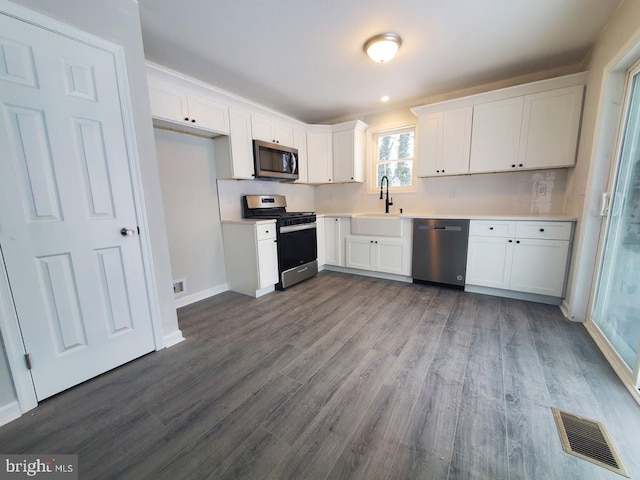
[251, 256]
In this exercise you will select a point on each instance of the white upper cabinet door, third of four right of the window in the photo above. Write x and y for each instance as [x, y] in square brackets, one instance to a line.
[495, 137]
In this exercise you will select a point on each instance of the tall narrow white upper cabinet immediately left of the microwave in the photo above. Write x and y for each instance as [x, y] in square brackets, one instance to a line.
[234, 153]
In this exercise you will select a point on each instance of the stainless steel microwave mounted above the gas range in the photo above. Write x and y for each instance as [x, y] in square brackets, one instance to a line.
[274, 161]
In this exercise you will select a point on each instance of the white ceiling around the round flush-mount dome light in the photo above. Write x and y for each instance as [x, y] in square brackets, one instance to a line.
[305, 58]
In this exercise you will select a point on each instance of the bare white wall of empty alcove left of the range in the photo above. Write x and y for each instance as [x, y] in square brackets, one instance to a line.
[190, 198]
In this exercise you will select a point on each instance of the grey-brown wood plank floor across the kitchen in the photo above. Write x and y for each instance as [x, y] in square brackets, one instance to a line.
[344, 377]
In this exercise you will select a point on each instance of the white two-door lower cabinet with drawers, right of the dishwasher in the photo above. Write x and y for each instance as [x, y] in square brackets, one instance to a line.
[522, 256]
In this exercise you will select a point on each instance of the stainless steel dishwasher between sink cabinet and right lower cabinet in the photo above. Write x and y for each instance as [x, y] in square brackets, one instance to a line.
[440, 251]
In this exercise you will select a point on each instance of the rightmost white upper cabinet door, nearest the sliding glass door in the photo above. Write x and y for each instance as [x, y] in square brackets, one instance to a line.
[550, 125]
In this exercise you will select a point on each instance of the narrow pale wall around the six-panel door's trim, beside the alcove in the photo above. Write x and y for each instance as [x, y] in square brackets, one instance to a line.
[119, 21]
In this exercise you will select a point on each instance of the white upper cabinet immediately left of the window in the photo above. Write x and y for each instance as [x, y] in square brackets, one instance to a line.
[349, 151]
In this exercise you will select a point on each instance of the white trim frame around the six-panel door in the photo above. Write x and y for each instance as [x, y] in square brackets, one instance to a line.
[9, 325]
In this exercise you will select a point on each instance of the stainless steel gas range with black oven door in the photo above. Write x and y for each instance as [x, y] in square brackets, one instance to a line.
[296, 237]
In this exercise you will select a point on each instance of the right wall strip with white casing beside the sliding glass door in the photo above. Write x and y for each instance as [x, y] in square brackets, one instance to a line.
[615, 51]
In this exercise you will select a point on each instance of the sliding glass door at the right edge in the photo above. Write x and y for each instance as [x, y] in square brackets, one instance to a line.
[616, 307]
